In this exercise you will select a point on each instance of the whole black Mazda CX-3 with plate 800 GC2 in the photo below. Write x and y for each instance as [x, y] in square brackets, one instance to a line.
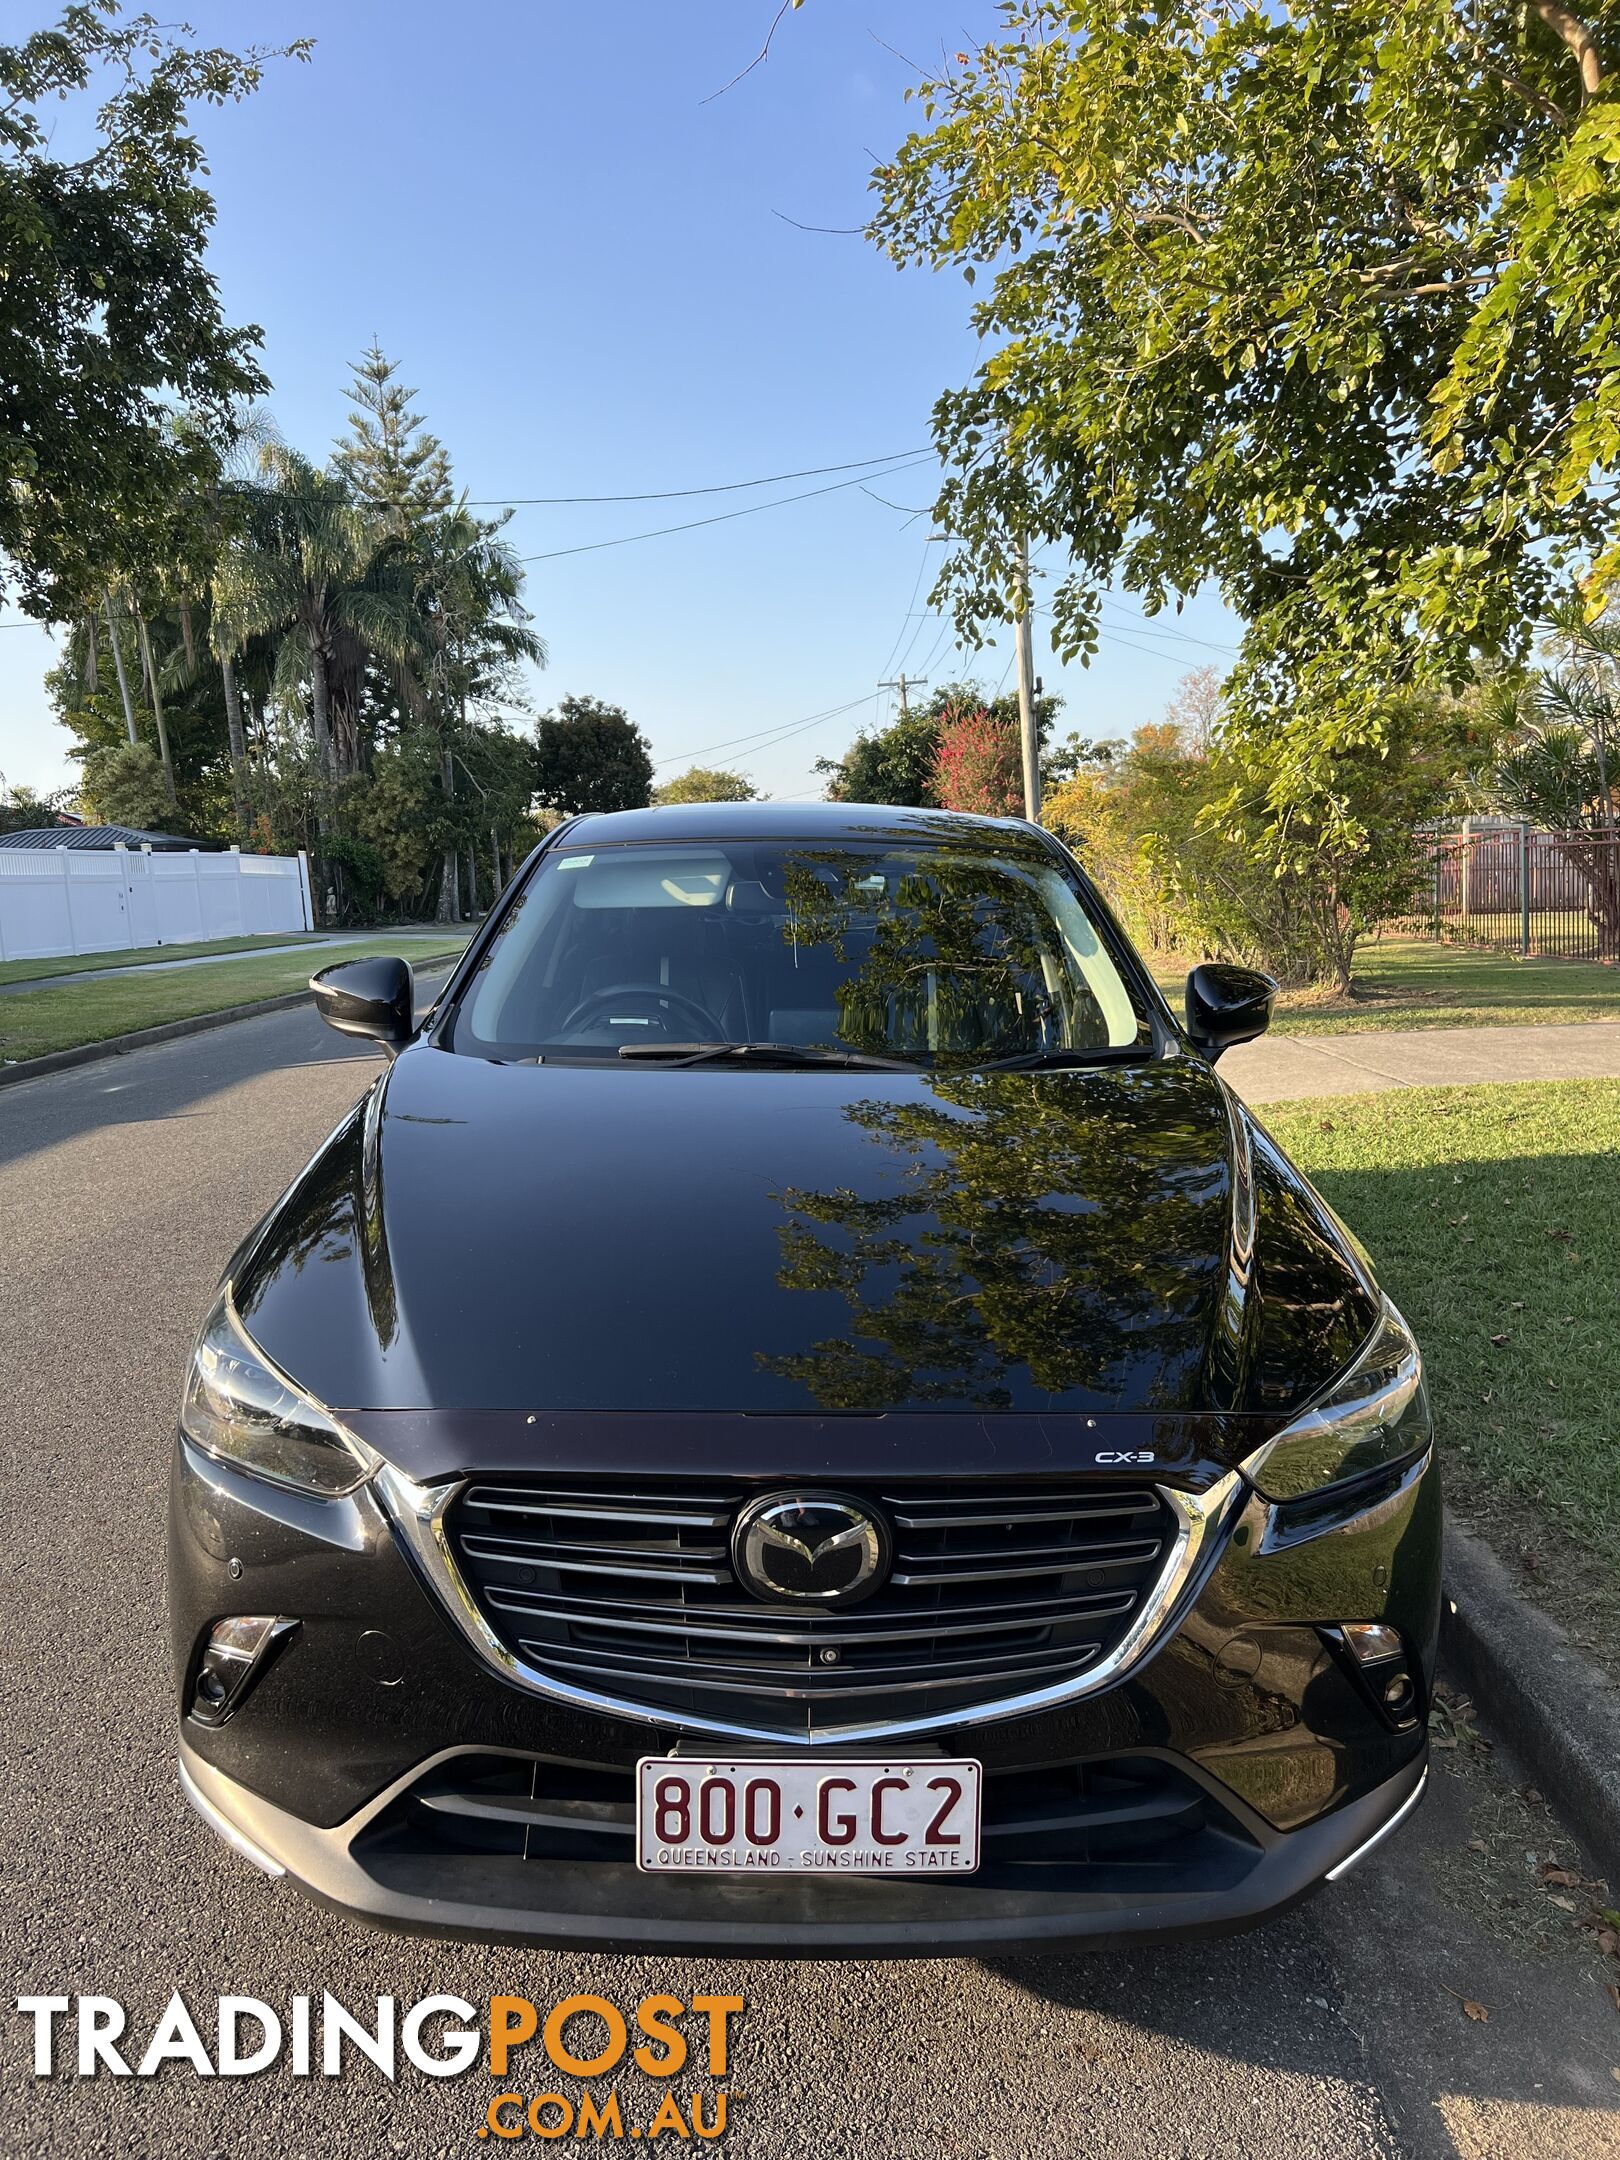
[800, 1414]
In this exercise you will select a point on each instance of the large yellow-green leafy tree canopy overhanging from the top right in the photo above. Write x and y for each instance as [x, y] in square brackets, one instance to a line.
[1312, 301]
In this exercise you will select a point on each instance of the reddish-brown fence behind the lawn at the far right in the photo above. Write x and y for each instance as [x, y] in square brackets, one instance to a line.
[1526, 891]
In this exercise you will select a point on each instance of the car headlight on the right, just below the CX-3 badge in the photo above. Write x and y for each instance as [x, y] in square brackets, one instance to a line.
[1373, 1416]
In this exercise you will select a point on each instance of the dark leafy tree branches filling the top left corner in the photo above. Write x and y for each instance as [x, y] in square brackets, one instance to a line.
[107, 308]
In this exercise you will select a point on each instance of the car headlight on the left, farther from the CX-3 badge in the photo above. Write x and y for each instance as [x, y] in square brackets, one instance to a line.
[239, 1407]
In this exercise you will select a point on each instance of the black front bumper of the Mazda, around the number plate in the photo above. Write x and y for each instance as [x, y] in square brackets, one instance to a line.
[1269, 1766]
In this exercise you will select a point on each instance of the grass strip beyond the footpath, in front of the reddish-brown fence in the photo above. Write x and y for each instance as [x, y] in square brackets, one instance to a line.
[1418, 984]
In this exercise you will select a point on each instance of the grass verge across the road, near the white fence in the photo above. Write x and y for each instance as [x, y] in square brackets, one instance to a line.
[40, 1021]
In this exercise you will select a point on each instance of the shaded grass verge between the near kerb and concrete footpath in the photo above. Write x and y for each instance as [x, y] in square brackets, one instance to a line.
[1491, 1217]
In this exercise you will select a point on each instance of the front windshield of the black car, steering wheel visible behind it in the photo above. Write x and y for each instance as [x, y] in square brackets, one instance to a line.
[941, 956]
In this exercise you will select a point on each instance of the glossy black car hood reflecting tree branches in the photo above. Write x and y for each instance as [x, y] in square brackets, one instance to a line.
[843, 1245]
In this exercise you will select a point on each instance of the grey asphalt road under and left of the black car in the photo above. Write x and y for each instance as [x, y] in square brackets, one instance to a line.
[1332, 2036]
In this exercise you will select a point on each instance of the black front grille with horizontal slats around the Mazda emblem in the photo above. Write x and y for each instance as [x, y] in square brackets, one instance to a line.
[630, 1591]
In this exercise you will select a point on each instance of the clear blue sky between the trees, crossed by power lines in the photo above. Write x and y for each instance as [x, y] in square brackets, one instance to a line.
[582, 269]
